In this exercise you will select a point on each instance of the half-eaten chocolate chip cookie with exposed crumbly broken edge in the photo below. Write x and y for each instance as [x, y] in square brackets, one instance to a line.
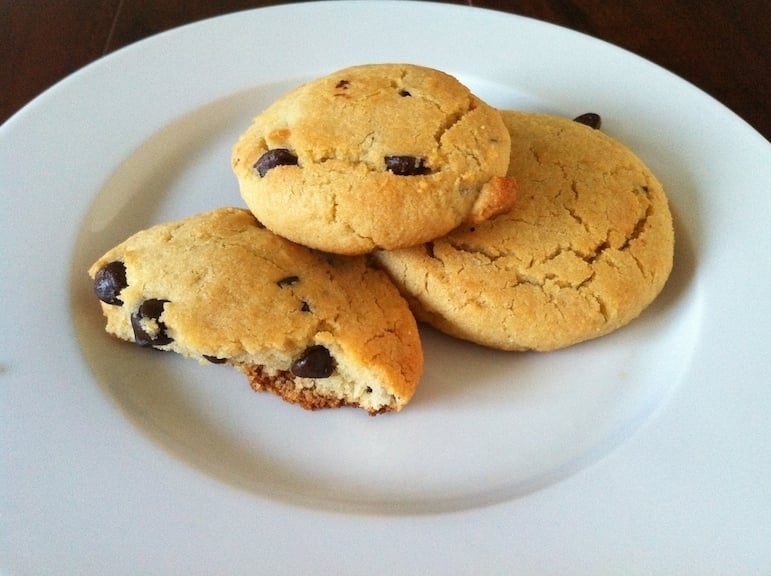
[318, 330]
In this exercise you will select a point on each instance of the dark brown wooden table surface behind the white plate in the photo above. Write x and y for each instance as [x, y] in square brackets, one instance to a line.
[721, 46]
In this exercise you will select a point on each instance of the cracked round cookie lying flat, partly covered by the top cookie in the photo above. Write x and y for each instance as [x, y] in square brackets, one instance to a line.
[587, 247]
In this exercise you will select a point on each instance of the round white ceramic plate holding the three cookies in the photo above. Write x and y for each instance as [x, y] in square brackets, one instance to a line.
[647, 450]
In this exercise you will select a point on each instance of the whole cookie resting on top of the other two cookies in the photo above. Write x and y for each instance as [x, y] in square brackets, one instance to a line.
[374, 156]
